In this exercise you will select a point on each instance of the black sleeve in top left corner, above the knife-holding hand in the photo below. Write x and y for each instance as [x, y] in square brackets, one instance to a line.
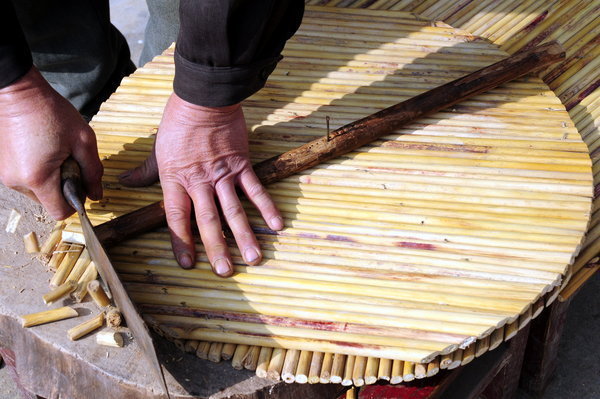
[15, 57]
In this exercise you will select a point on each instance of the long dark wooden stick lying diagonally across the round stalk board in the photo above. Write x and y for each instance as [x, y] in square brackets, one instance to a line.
[356, 134]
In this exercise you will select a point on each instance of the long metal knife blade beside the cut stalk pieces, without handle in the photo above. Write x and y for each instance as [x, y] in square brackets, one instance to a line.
[138, 328]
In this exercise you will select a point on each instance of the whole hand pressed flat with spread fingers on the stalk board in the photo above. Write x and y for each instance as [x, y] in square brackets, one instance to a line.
[202, 156]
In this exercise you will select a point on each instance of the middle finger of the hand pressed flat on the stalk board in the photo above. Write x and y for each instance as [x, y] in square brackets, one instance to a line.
[211, 233]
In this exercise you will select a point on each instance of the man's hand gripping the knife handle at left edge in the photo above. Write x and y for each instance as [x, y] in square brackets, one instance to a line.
[39, 129]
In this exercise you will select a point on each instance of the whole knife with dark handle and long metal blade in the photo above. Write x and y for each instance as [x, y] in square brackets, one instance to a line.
[72, 189]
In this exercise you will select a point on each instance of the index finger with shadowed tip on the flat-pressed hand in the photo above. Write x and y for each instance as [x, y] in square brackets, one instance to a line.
[178, 207]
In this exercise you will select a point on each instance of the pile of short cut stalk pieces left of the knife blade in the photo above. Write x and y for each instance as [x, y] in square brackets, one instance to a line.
[75, 276]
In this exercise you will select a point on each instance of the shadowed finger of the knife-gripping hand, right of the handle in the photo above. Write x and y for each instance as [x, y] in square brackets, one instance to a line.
[86, 156]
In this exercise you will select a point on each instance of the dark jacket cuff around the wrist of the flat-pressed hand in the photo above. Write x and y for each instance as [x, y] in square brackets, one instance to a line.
[219, 86]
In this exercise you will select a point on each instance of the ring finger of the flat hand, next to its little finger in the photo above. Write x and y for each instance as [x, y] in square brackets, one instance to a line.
[238, 222]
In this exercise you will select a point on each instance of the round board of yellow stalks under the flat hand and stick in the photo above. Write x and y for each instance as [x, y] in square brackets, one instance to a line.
[430, 245]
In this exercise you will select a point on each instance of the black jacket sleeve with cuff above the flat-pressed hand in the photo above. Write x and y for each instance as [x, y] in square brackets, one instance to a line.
[226, 49]
